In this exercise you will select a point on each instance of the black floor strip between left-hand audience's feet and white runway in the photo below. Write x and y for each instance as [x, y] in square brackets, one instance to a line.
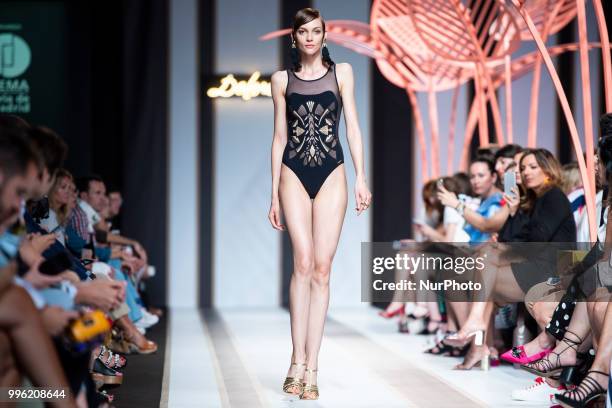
[143, 376]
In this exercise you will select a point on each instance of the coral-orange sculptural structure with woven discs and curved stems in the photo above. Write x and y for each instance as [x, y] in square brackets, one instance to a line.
[431, 46]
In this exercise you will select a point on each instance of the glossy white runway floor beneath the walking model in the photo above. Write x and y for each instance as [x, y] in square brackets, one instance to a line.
[239, 358]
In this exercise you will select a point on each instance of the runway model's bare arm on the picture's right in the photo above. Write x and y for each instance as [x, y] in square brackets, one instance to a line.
[346, 83]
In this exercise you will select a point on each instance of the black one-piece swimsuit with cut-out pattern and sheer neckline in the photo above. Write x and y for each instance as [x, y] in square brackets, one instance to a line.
[313, 148]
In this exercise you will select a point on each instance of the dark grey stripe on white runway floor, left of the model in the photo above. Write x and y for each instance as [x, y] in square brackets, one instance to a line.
[240, 390]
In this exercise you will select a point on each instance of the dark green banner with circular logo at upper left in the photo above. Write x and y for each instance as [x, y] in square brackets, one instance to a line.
[32, 62]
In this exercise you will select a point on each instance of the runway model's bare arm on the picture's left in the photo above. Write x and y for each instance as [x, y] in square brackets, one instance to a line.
[279, 140]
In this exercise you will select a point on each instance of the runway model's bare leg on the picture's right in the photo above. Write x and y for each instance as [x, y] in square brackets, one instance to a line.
[328, 210]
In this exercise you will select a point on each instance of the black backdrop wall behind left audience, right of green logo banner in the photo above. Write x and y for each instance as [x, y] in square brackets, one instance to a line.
[112, 111]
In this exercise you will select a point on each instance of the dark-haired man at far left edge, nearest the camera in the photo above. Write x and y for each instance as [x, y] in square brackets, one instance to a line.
[25, 347]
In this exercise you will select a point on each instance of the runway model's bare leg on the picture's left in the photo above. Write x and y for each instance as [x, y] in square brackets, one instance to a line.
[297, 211]
